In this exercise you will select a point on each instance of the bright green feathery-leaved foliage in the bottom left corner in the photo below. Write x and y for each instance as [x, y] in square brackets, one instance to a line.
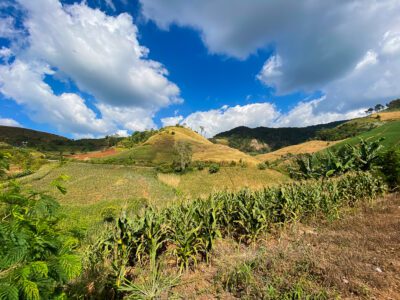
[36, 259]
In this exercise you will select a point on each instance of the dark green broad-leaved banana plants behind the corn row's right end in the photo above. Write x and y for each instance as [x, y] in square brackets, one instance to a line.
[361, 157]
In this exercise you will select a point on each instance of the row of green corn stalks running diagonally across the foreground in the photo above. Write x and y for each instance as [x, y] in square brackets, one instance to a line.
[188, 231]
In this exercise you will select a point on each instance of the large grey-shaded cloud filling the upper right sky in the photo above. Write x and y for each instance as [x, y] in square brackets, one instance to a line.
[318, 44]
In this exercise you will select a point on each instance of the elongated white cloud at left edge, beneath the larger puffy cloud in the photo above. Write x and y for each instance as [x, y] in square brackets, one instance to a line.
[23, 82]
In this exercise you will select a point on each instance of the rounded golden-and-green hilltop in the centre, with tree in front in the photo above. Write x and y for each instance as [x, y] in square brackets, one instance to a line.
[159, 148]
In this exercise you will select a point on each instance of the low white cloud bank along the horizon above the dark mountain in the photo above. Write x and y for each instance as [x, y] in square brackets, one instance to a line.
[259, 114]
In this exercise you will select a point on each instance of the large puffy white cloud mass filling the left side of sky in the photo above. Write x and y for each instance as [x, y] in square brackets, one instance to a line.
[100, 54]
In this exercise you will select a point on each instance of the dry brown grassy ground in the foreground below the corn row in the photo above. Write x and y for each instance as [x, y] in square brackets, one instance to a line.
[355, 257]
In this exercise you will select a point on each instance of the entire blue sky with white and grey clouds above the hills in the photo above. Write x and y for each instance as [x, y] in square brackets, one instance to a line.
[97, 67]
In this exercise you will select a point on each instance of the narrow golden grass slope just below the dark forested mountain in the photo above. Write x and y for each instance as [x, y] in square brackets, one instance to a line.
[307, 147]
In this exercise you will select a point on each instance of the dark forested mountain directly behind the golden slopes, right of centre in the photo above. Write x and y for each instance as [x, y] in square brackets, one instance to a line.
[243, 137]
